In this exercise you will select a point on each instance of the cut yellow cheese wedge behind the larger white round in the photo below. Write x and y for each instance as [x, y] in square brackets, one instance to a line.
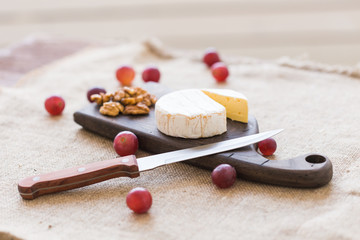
[235, 103]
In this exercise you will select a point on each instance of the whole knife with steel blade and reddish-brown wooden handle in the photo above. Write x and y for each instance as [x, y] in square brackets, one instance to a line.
[128, 166]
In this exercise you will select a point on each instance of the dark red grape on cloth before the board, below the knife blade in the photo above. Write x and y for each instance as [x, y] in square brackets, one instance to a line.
[223, 176]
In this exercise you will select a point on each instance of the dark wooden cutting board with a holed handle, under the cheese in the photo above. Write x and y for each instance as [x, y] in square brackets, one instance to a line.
[309, 170]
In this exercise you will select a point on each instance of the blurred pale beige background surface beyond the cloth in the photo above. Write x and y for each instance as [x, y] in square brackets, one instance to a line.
[326, 30]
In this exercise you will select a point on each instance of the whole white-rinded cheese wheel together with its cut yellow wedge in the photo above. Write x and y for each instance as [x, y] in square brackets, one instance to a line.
[195, 113]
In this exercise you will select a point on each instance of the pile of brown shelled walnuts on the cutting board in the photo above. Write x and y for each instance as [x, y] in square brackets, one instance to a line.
[126, 100]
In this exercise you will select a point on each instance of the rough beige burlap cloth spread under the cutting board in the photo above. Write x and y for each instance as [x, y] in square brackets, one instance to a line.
[319, 109]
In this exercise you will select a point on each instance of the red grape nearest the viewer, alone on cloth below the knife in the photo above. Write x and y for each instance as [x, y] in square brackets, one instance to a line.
[139, 200]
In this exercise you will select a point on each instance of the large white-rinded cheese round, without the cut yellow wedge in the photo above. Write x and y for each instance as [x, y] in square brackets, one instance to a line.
[189, 114]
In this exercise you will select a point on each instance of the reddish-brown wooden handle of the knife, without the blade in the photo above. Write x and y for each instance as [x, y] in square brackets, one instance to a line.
[35, 186]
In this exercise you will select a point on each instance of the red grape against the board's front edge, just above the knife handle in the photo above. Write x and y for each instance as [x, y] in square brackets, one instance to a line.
[126, 143]
